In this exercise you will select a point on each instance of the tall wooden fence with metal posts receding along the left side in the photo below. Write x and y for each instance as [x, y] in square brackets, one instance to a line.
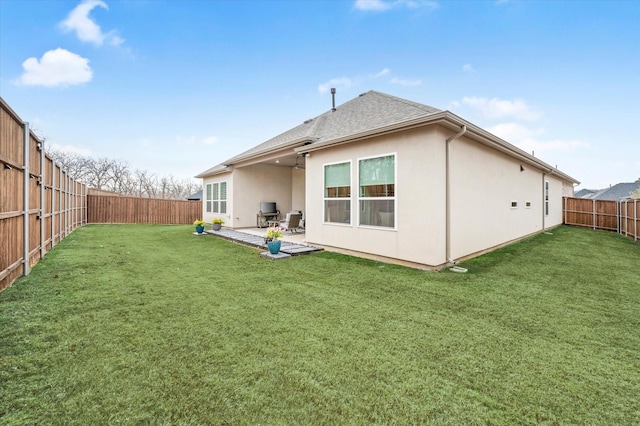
[39, 203]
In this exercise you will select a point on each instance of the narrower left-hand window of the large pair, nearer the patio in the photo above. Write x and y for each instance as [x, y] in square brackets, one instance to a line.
[337, 193]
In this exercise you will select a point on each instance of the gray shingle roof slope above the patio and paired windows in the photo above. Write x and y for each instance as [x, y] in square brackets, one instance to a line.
[370, 110]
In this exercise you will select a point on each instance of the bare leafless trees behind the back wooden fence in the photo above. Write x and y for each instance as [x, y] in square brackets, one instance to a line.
[117, 176]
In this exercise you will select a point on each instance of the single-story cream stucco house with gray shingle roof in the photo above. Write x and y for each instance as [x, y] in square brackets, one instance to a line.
[391, 179]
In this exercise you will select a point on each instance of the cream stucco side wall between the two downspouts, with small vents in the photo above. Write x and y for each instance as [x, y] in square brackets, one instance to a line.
[484, 185]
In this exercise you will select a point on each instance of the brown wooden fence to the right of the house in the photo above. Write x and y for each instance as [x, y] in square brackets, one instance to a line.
[617, 216]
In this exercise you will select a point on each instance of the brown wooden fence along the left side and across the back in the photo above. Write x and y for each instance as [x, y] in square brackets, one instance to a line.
[40, 204]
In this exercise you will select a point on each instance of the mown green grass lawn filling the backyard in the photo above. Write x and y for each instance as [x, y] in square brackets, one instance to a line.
[141, 324]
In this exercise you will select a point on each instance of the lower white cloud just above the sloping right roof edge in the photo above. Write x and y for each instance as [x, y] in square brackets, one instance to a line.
[533, 141]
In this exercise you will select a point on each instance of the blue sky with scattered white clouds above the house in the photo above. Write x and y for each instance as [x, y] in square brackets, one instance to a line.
[176, 87]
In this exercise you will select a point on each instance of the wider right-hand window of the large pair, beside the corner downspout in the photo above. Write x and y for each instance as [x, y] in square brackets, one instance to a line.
[376, 194]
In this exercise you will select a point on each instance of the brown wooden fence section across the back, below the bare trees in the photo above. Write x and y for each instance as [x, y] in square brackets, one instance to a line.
[110, 209]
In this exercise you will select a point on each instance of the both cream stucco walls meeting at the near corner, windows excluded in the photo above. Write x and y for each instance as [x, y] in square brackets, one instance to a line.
[494, 198]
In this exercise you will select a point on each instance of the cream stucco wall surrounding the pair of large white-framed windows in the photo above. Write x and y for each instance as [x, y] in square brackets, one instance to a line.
[420, 190]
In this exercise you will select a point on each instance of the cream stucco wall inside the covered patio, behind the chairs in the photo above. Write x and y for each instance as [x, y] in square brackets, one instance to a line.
[255, 184]
